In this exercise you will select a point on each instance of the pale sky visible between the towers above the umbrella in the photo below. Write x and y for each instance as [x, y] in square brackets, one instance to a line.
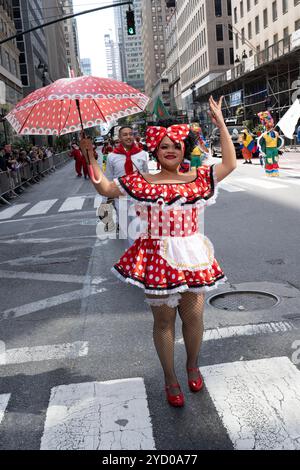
[91, 30]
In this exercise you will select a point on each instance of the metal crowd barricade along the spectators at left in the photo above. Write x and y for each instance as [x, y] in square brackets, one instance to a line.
[29, 173]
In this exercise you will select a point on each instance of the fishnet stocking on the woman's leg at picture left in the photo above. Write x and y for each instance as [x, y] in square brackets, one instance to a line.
[164, 339]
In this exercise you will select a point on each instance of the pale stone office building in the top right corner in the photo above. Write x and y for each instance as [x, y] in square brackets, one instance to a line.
[260, 24]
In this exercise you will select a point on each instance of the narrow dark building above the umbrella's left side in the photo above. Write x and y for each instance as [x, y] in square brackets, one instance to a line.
[33, 46]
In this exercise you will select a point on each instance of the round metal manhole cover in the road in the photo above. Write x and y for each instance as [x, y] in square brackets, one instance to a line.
[244, 301]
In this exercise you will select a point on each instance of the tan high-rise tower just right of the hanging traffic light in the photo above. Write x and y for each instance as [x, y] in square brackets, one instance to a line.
[155, 16]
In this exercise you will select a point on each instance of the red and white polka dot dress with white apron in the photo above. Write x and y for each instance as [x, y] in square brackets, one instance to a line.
[170, 255]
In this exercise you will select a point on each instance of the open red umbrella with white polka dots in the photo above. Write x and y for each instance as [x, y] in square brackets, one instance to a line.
[70, 104]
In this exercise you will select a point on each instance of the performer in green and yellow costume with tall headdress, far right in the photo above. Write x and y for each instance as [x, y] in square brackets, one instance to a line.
[269, 144]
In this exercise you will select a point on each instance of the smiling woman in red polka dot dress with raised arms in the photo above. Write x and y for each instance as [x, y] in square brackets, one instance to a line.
[171, 260]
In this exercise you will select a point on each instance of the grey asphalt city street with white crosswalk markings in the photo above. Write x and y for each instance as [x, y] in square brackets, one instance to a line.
[78, 366]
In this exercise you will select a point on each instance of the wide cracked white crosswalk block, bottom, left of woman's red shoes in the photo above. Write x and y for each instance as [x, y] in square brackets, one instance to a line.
[110, 415]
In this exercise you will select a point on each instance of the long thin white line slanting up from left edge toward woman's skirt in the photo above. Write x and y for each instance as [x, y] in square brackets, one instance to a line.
[48, 303]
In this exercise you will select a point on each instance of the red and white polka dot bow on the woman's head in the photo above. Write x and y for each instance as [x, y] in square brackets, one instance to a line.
[155, 134]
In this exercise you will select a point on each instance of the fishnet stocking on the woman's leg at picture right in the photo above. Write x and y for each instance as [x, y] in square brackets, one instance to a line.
[190, 309]
